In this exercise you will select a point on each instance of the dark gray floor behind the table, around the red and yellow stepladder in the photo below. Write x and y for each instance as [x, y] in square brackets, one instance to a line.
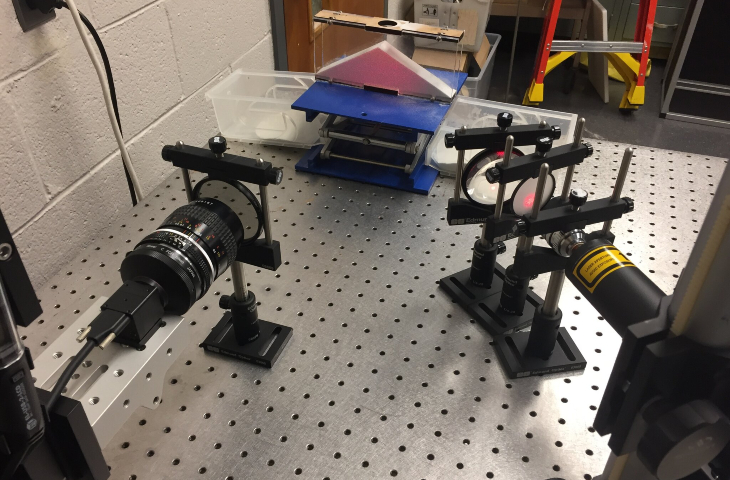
[603, 120]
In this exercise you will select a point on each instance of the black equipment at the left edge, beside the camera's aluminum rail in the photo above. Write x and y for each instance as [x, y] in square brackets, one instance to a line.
[35, 442]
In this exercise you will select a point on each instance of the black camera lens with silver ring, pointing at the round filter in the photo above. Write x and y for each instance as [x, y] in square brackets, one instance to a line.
[189, 250]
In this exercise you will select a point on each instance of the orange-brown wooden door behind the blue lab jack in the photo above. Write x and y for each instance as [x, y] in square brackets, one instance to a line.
[301, 30]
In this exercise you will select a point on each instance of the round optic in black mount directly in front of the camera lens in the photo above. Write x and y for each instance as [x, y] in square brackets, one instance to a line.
[239, 198]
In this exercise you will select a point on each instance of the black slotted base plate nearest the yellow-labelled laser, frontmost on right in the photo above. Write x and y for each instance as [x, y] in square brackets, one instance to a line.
[511, 347]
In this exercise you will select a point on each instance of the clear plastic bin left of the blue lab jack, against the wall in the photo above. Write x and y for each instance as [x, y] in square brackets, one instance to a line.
[256, 107]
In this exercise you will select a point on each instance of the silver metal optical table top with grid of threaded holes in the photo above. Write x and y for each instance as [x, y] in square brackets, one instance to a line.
[384, 375]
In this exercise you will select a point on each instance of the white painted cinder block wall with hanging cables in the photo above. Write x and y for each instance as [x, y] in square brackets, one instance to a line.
[62, 179]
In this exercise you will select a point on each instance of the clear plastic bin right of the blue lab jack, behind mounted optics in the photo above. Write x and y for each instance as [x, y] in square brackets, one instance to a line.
[477, 113]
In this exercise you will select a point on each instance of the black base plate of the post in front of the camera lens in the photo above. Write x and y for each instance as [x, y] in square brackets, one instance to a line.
[265, 350]
